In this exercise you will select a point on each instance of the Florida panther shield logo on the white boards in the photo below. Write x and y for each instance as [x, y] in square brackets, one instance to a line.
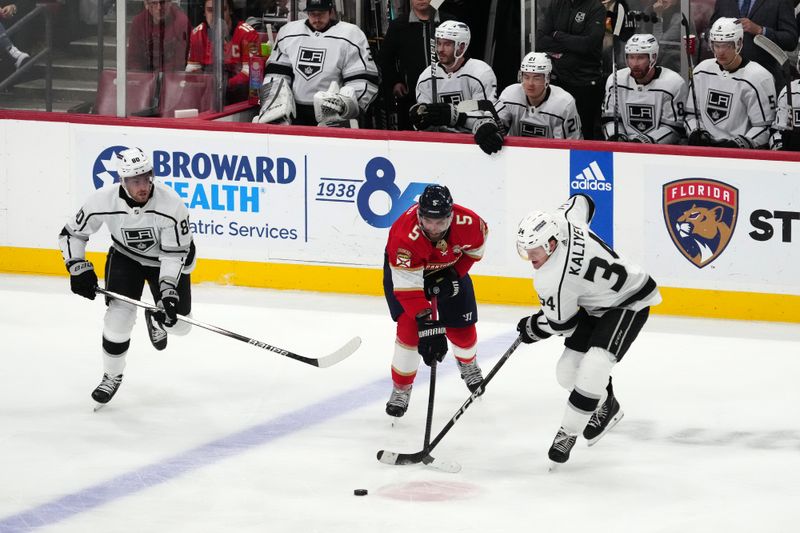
[700, 215]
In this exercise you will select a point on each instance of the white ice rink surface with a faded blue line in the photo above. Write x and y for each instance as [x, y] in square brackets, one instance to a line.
[214, 435]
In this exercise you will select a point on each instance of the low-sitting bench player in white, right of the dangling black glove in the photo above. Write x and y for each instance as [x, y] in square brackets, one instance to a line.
[534, 108]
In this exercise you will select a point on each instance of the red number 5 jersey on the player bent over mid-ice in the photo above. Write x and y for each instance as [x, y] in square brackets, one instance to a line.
[411, 254]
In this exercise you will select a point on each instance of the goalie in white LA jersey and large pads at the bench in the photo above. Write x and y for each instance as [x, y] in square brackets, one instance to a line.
[320, 72]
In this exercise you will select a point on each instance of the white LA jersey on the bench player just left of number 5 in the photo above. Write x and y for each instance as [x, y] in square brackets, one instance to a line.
[654, 111]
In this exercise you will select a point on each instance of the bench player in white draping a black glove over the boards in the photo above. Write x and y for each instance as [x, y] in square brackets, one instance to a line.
[458, 79]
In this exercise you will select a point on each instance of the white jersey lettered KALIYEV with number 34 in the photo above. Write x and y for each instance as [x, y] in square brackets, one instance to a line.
[584, 272]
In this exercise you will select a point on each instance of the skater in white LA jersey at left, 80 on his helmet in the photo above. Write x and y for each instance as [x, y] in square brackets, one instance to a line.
[151, 241]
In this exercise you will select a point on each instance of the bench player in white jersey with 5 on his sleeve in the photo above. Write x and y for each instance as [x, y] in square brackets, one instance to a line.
[735, 96]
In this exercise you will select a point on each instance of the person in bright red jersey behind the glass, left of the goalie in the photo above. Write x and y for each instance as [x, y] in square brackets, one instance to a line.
[239, 39]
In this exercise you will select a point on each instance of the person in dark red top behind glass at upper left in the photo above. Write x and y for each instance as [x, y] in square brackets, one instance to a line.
[159, 37]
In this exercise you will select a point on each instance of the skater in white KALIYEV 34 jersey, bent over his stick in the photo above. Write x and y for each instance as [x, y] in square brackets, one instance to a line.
[592, 296]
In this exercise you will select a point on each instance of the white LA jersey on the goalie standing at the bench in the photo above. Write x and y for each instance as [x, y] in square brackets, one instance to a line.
[311, 60]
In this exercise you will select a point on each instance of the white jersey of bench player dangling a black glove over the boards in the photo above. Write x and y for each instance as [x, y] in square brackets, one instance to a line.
[475, 80]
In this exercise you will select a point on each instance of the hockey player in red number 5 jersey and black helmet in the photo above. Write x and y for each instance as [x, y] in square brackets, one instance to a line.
[430, 250]
